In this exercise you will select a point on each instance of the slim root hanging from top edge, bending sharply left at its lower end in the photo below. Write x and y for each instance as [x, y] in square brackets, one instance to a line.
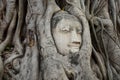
[16, 39]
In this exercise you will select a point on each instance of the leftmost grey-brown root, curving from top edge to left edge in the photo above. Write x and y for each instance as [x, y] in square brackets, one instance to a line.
[8, 17]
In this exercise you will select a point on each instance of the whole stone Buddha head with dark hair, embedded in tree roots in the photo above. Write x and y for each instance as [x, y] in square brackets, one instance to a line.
[67, 32]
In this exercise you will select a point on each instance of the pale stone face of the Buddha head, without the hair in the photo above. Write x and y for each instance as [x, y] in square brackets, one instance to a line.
[67, 36]
